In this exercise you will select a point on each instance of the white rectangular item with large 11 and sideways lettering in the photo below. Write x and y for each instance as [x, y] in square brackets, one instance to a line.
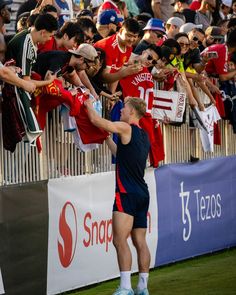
[168, 104]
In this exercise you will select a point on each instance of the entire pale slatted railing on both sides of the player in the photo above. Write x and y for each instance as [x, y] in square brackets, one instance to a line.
[60, 157]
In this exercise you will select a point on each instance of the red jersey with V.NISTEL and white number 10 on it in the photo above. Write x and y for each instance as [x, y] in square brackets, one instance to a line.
[139, 85]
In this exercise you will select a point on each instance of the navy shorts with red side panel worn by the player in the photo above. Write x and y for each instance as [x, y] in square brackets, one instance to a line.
[135, 205]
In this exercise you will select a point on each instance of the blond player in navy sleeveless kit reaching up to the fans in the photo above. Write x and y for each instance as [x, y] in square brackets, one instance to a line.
[131, 197]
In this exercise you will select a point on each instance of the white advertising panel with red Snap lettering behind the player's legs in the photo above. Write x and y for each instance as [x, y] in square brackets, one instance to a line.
[80, 250]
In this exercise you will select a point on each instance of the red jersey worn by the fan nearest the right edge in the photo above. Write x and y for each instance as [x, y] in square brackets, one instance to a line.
[217, 66]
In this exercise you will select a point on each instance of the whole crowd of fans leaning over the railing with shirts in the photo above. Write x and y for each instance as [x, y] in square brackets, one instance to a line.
[65, 52]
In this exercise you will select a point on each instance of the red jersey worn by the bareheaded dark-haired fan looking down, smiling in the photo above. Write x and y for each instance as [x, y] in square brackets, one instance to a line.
[115, 57]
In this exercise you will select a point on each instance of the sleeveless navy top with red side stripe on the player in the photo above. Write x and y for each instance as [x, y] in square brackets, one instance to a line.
[131, 162]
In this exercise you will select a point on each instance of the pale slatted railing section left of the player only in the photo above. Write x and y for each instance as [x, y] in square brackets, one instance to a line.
[59, 157]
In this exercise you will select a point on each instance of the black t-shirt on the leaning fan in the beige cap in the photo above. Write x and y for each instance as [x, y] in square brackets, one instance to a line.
[53, 61]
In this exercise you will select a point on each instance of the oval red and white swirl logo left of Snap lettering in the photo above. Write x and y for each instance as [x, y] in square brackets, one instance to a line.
[67, 241]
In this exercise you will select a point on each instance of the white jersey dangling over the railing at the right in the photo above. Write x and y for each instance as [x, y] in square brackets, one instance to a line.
[209, 117]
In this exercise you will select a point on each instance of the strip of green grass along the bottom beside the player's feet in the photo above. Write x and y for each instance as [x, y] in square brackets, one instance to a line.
[213, 274]
